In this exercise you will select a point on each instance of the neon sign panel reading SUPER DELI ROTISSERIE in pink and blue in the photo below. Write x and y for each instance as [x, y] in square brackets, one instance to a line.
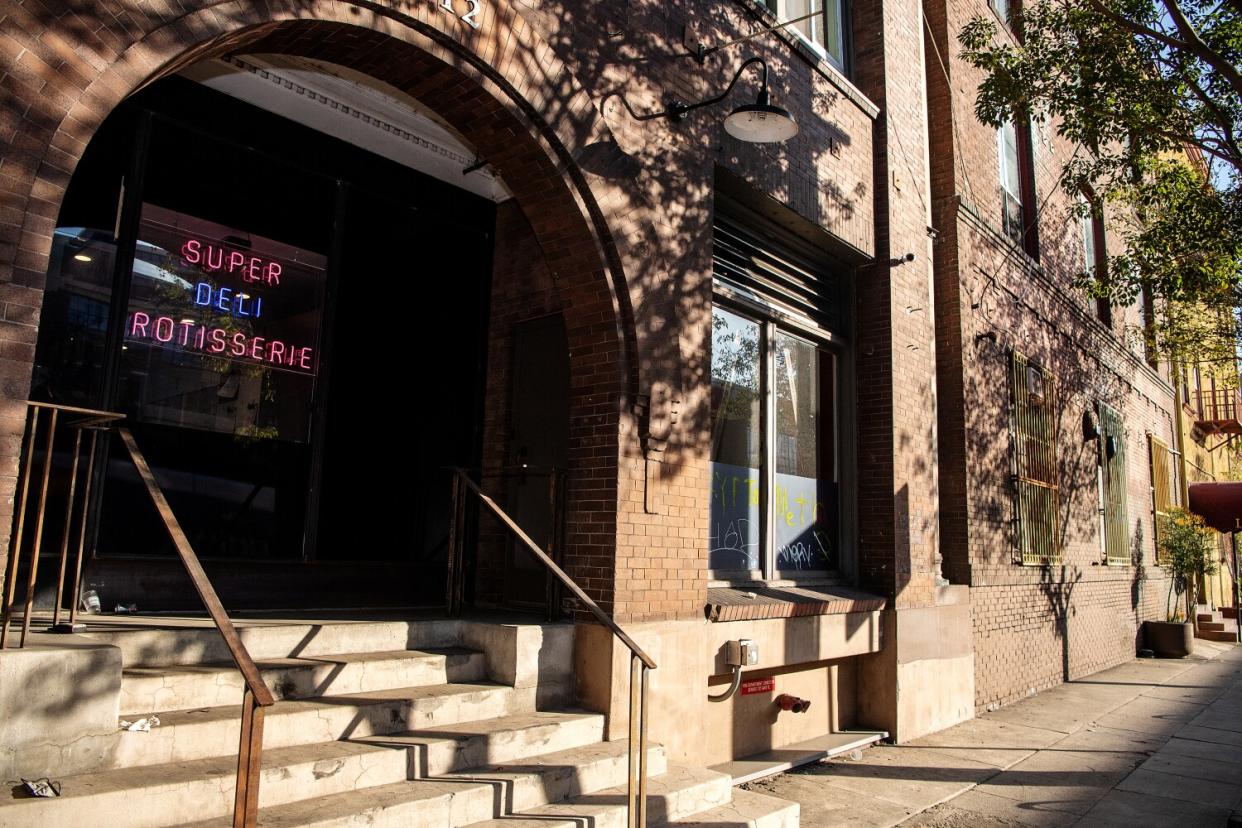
[222, 328]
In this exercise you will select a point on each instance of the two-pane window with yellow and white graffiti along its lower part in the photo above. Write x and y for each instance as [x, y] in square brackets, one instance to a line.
[774, 502]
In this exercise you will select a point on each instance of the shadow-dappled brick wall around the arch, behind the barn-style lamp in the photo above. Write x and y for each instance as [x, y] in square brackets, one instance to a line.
[620, 208]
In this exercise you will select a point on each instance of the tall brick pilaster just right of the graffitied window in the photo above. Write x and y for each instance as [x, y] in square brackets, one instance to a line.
[899, 491]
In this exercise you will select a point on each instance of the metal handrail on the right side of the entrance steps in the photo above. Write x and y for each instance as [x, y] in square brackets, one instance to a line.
[640, 662]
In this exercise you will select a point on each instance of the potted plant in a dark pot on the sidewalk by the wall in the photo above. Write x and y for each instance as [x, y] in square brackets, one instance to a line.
[1188, 556]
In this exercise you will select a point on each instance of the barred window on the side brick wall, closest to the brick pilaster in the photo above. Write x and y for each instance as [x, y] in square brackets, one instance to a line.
[1035, 464]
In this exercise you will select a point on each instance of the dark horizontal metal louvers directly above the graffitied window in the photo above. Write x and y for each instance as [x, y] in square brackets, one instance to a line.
[778, 271]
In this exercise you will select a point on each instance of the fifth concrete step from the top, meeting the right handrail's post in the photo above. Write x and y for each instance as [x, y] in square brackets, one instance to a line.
[463, 799]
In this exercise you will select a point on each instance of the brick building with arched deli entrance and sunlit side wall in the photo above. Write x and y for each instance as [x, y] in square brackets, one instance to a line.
[836, 395]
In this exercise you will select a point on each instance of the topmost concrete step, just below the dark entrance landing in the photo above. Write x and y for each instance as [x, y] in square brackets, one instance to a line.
[178, 644]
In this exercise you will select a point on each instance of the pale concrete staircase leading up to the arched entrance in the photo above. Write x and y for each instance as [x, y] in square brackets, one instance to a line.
[445, 723]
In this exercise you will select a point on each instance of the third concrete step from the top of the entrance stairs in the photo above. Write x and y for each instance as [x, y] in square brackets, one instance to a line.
[186, 736]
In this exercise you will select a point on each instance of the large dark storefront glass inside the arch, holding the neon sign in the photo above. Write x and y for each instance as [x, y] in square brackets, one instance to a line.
[256, 302]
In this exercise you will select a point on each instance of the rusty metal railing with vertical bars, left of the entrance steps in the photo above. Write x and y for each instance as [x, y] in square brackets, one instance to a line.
[256, 696]
